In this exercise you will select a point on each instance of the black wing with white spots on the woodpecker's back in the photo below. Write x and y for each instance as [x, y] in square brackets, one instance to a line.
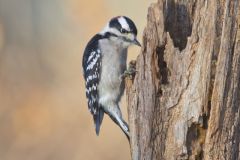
[92, 73]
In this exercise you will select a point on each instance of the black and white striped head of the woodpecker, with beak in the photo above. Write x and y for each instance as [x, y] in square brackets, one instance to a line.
[122, 30]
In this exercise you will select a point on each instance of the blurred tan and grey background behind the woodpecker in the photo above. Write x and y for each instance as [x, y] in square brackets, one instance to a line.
[43, 111]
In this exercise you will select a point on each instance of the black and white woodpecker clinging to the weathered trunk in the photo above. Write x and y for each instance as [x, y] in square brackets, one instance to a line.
[104, 62]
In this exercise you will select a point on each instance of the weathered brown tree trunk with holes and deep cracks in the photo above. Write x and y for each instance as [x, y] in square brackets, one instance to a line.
[184, 102]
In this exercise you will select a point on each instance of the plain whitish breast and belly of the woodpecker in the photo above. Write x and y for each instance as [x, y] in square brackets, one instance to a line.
[113, 65]
